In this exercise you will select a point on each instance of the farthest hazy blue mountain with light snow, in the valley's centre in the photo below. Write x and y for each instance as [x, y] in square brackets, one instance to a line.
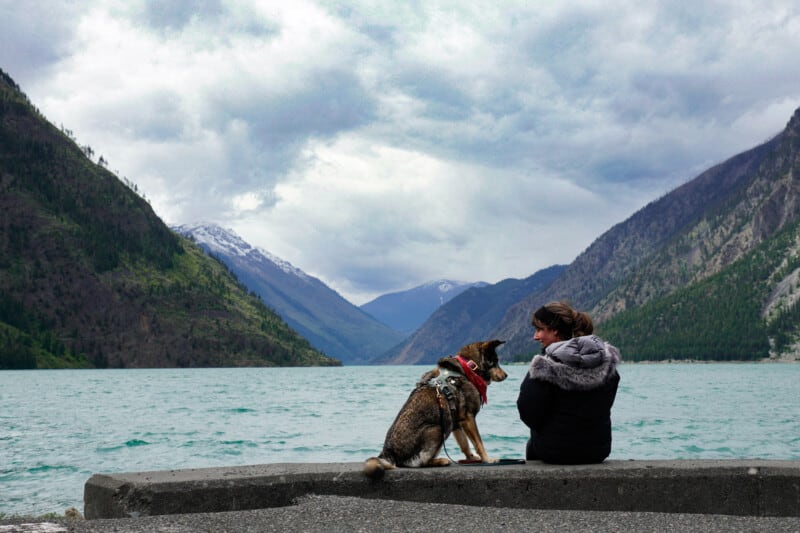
[405, 311]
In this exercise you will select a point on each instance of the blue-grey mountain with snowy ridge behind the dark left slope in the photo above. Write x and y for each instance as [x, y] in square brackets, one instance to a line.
[331, 323]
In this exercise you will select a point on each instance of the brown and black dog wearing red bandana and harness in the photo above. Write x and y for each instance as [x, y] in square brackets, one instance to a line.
[444, 401]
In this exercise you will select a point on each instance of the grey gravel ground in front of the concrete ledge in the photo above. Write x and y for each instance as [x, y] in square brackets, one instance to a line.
[331, 514]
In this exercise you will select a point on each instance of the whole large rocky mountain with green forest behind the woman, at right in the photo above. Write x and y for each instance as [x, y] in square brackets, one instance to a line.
[707, 271]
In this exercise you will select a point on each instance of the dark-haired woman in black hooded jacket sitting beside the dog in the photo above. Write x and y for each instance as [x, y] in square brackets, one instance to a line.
[567, 394]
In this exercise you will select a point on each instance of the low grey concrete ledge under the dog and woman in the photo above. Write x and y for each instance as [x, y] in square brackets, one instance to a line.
[740, 487]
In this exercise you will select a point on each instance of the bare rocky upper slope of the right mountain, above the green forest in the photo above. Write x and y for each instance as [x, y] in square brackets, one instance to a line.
[684, 237]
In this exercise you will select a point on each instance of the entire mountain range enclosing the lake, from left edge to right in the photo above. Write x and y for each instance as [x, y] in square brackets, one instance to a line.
[91, 277]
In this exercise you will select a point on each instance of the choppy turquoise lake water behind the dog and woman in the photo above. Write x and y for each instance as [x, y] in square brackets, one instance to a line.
[58, 427]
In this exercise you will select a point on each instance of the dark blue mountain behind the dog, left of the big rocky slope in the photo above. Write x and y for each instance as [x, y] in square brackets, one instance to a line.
[468, 317]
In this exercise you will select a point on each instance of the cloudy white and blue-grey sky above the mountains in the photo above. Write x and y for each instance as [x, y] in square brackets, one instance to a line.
[381, 144]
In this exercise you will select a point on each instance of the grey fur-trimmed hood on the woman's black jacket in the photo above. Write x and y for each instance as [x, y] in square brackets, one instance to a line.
[580, 363]
